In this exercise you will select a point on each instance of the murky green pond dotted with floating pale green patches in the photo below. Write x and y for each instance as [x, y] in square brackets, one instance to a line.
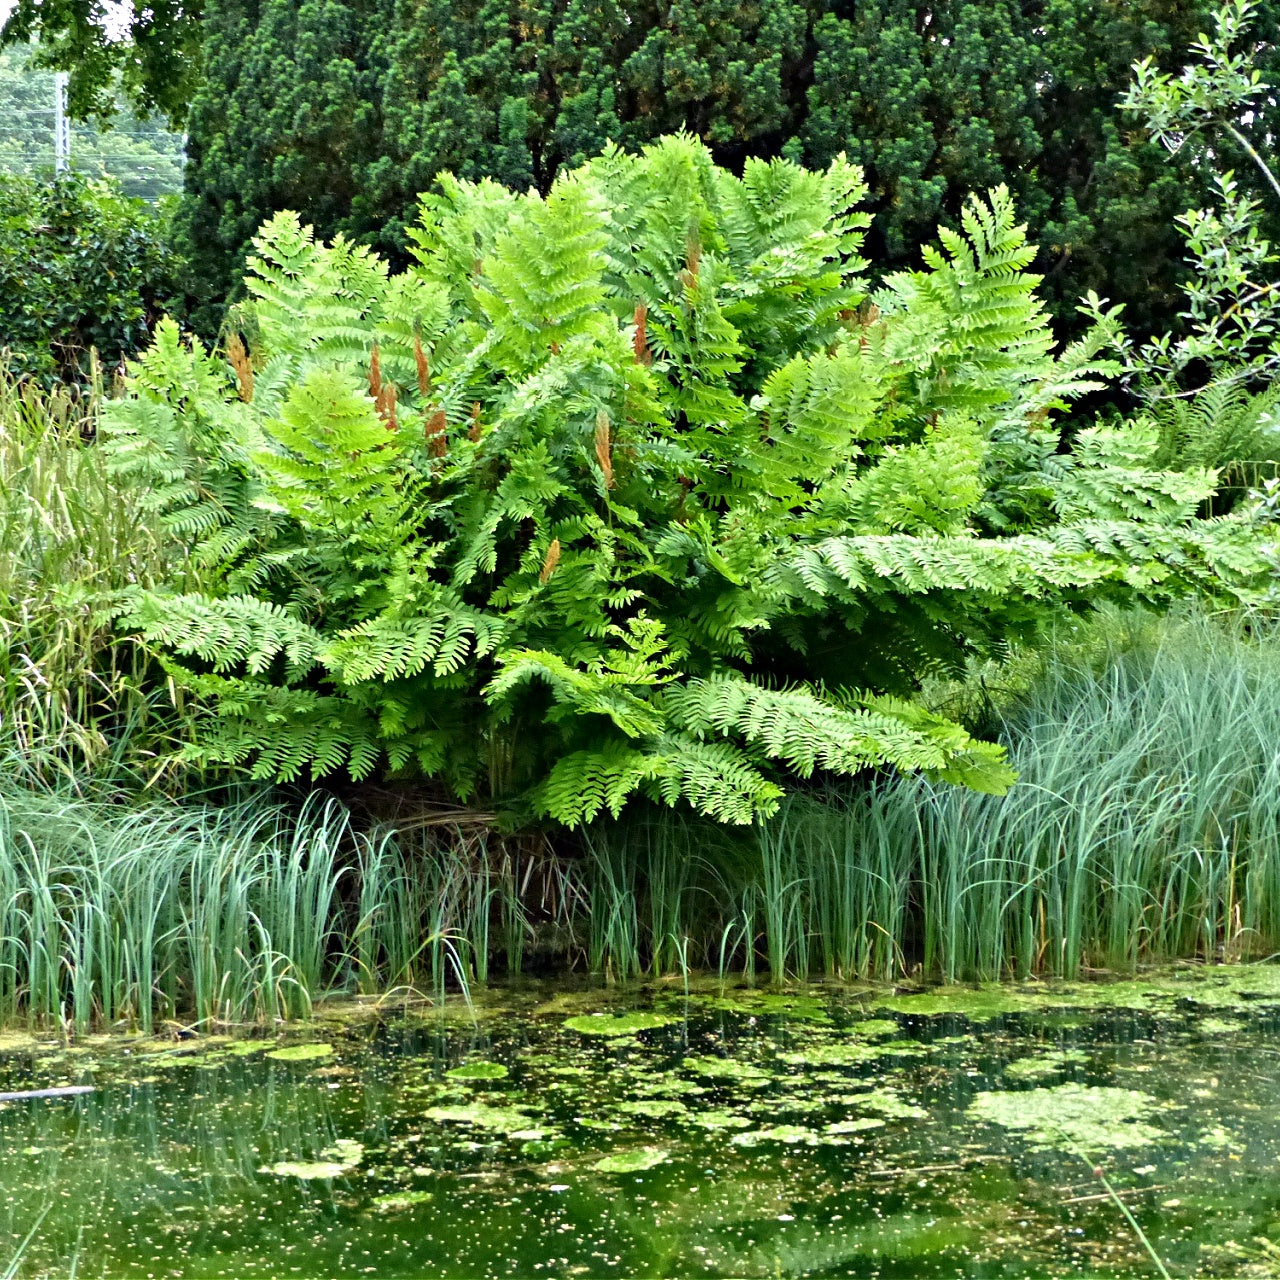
[714, 1133]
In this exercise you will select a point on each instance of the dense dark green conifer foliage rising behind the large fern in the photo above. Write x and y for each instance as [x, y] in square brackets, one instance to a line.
[348, 109]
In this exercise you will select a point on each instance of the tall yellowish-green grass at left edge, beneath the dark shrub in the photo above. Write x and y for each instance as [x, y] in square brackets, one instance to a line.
[75, 694]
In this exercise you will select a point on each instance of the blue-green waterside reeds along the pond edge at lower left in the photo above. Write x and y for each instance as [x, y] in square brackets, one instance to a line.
[121, 912]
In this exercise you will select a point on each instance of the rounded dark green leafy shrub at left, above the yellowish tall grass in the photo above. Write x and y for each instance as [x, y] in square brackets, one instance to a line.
[81, 267]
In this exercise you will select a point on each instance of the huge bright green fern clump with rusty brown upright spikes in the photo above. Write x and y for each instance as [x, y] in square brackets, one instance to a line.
[636, 488]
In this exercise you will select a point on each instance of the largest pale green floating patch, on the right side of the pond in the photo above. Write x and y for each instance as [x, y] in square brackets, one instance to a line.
[1089, 1118]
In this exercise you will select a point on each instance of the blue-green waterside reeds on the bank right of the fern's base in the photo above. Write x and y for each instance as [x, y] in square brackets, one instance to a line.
[1145, 828]
